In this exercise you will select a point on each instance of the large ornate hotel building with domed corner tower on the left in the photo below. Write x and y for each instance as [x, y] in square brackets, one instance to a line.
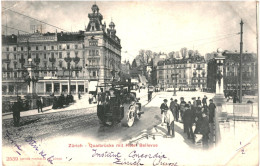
[64, 62]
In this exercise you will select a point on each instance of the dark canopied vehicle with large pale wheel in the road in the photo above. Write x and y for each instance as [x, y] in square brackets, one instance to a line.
[118, 105]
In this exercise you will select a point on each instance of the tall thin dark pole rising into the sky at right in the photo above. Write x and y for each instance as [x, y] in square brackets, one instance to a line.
[240, 64]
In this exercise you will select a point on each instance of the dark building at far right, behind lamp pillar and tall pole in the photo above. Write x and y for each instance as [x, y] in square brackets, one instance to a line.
[231, 73]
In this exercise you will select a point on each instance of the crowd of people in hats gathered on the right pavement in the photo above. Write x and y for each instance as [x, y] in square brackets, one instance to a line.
[196, 113]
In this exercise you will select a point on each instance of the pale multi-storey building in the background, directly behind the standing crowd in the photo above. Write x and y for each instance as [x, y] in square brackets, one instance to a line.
[188, 73]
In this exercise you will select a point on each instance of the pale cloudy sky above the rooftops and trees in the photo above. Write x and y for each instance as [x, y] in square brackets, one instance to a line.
[159, 26]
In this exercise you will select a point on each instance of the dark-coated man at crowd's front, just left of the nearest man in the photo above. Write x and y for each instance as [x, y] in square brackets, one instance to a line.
[188, 121]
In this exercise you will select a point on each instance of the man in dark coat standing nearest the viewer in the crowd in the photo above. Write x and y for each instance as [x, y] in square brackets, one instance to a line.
[204, 129]
